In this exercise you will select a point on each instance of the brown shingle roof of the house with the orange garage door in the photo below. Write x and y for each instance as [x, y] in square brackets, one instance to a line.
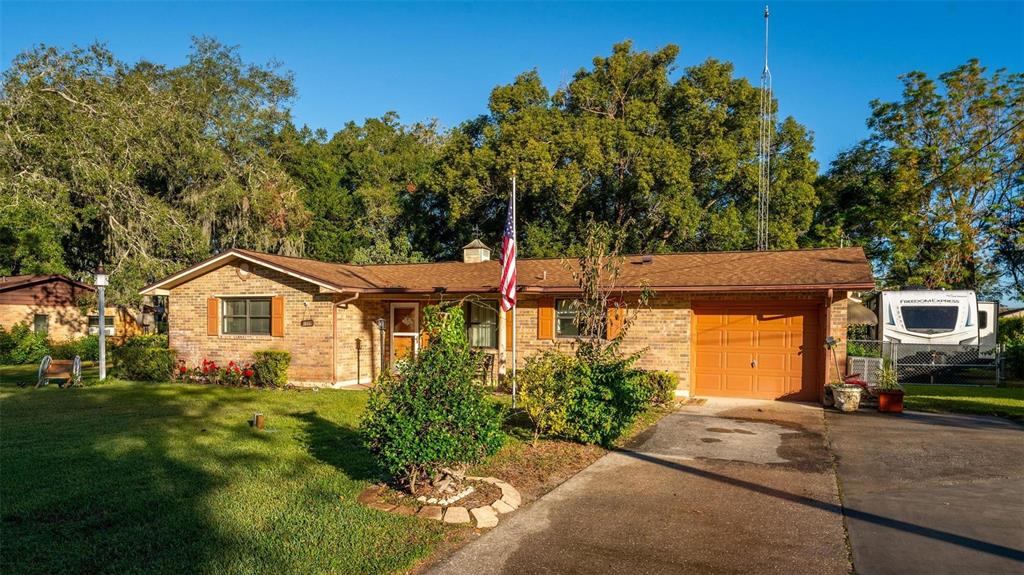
[824, 269]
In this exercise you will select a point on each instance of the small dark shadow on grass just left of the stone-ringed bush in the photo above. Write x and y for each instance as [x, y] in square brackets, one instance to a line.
[339, 447]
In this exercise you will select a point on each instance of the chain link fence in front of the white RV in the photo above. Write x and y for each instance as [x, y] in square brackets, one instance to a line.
[927, 364]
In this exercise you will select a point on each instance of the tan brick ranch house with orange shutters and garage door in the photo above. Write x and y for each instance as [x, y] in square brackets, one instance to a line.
[731, 324]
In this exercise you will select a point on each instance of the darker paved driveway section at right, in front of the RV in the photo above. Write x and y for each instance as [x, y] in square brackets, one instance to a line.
[931, 494]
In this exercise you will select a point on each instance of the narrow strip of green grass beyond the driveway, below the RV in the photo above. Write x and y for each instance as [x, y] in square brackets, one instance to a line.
[1008, 403]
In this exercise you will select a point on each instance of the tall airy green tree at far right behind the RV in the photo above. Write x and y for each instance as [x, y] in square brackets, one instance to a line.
[934, 194]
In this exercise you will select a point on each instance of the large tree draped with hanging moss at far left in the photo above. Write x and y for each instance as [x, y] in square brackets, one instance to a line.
[143, 167]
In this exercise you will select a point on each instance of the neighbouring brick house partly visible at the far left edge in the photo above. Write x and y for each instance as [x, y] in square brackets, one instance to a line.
[56, 305]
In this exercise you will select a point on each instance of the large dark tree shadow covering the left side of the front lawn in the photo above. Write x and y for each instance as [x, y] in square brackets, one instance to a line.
[104, 480]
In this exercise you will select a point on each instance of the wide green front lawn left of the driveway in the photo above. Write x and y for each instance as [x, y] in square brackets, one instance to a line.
[132, 478]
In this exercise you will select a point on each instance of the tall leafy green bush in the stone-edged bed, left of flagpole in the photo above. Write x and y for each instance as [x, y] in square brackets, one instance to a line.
[432, 415]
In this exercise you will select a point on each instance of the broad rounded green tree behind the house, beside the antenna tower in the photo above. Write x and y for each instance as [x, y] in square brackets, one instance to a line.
[673, 165]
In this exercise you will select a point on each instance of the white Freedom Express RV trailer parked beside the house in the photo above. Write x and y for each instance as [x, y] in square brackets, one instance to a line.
[937, 318]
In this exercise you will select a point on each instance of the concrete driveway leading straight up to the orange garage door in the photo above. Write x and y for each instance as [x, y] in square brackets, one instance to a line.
[727, 488]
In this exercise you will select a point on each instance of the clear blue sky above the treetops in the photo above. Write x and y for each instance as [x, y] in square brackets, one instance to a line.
[355, 61]
